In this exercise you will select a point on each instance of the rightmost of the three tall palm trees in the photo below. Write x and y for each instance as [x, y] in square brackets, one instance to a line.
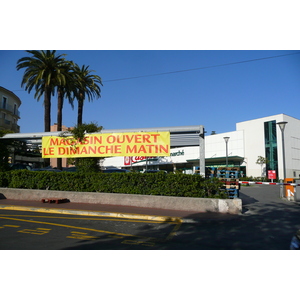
[87, 86]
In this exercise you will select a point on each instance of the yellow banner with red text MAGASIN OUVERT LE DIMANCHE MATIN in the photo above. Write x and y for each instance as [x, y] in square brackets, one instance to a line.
[108, 144]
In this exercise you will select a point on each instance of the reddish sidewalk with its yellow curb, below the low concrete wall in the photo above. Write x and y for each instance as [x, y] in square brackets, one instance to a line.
[113, 211]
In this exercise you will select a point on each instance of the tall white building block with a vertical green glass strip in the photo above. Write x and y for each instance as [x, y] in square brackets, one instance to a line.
[263, 137]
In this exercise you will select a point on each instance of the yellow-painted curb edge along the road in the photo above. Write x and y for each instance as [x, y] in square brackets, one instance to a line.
[97, 214]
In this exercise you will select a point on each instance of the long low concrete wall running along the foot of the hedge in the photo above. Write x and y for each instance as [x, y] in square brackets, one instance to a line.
[231, 206]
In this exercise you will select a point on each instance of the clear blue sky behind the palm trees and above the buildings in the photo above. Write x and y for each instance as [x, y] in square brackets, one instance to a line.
[215, 97]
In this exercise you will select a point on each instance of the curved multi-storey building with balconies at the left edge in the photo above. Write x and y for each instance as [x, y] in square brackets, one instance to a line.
[9, 110]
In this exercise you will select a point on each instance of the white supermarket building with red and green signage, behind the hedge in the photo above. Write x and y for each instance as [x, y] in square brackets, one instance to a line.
[253, 138]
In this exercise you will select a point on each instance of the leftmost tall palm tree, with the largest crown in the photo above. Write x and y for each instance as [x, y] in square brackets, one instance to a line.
[43, 72]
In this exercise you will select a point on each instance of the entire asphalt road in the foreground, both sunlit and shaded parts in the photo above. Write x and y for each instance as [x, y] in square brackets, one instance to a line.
[267, 223]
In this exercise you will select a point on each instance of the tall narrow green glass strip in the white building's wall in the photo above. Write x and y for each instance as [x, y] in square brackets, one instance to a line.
[271, 146]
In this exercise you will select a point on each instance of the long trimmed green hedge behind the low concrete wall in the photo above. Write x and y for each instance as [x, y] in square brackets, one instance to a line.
[180, 185]
